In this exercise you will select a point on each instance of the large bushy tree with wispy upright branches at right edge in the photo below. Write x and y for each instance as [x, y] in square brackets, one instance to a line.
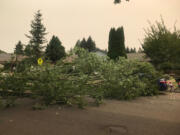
[162, 46]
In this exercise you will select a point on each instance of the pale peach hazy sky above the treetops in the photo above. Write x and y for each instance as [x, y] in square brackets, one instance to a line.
[71, 20]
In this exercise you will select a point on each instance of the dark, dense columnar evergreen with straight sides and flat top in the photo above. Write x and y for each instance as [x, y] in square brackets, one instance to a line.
[116, 46]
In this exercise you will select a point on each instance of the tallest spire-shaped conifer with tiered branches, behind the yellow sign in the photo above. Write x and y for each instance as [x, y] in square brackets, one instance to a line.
[37, 35]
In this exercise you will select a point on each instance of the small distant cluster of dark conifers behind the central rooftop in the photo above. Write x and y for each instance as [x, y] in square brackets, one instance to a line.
[88, 44]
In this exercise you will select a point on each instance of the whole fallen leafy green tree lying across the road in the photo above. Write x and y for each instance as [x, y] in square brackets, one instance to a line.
[88, 76]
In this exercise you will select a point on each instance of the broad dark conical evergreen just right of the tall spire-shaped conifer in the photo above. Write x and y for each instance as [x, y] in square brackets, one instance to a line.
[55, 50]
